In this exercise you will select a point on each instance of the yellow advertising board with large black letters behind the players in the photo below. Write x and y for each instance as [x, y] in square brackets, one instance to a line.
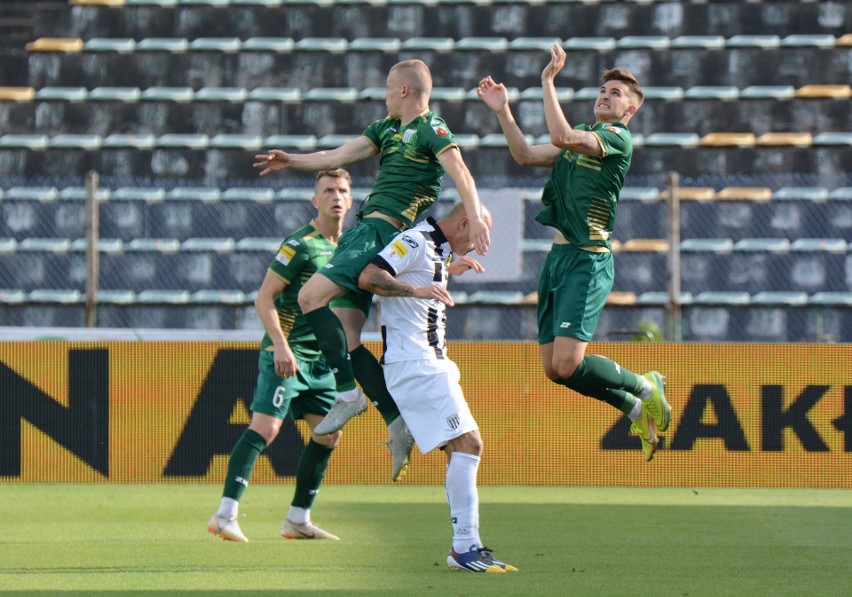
[746, 415]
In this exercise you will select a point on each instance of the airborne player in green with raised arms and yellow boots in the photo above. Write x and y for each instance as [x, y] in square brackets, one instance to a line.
[588, 164]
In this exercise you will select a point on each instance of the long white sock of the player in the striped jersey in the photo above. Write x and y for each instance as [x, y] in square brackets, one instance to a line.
[463, 498]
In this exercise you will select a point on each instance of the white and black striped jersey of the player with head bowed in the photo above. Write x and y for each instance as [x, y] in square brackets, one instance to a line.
[414, 328]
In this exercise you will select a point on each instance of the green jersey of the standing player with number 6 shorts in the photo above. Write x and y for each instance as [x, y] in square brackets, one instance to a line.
[300, 255]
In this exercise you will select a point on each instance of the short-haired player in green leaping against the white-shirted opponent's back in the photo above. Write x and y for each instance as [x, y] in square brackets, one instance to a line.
[416, 149]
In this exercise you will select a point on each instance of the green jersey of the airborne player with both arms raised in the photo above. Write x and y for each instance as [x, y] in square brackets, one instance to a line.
[582, 194]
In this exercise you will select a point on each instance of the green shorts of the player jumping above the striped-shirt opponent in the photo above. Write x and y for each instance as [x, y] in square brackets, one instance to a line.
[355, 249]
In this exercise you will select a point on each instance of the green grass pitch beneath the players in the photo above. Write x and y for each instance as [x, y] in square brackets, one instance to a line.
[394, 539]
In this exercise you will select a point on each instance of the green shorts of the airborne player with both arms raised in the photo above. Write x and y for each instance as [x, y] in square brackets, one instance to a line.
[572, 291]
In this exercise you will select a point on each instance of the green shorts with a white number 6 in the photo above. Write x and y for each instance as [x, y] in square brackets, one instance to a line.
[310, 391]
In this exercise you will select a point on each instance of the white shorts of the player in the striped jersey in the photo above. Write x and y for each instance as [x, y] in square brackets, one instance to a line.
[431, 401]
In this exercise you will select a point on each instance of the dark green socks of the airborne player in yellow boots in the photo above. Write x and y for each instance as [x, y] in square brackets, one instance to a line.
[603, 379]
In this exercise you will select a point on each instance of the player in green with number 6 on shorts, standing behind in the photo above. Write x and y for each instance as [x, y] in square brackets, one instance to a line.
[294, 377]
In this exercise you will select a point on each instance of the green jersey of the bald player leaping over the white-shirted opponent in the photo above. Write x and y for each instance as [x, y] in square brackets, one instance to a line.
[410, 174]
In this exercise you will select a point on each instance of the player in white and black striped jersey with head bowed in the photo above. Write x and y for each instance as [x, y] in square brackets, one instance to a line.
[410, 274]
